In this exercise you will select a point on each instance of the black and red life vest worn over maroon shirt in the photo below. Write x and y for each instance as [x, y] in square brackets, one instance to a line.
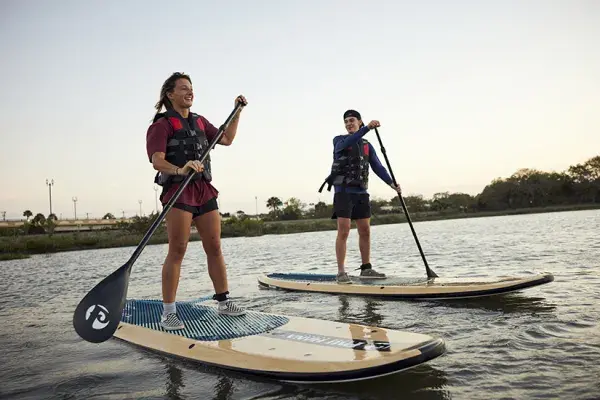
[188, 142]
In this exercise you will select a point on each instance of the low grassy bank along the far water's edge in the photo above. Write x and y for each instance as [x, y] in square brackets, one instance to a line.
[15, 247]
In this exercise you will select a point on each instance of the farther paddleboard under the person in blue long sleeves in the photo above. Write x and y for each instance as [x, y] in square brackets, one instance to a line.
[403, 288]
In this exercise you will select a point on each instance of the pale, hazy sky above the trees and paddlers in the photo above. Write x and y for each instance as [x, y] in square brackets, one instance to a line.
[465, 91]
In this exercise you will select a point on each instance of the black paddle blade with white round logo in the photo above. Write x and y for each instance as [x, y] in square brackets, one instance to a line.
[98, 314]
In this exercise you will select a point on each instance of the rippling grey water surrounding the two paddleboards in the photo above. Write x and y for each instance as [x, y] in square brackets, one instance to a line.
[542, 343]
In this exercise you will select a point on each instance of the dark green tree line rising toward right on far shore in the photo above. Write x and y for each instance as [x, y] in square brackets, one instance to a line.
[526, 188]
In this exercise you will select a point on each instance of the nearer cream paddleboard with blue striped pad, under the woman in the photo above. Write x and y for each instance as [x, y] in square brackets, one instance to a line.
[284, 348]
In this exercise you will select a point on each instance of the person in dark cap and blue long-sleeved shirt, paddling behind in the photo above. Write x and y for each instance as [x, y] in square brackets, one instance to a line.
[352, 157]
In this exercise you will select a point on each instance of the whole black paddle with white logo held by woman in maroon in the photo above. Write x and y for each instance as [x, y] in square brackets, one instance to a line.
[98, 314]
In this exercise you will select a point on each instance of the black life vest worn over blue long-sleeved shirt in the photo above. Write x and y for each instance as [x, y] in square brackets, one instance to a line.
[351, 168]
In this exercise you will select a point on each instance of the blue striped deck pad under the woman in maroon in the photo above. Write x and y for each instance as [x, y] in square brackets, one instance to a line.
[201, 322]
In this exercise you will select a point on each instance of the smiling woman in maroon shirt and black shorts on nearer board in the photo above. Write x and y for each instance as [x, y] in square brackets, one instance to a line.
[175, 142]
